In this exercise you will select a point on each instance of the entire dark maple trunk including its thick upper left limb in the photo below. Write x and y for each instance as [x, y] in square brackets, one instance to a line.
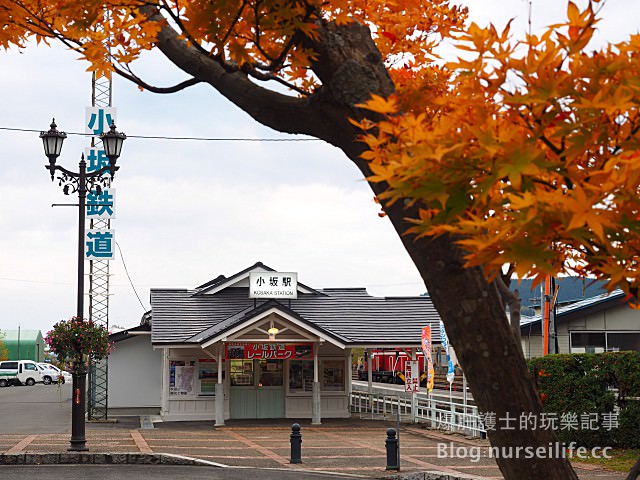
[351, 69]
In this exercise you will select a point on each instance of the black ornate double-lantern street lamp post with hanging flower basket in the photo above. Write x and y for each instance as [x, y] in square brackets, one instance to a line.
[81, 182]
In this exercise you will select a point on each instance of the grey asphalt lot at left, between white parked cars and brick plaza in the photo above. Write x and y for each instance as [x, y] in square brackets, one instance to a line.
[40, 408]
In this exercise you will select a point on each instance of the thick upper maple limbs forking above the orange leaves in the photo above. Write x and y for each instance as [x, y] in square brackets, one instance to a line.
[346, 61]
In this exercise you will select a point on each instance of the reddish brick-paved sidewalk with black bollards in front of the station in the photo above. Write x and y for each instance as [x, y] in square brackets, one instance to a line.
[350, 446]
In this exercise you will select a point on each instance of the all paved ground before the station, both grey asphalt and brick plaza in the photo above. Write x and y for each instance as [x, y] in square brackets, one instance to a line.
[35, 425]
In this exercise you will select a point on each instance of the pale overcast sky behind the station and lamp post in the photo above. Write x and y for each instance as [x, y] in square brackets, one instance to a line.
[188, 211]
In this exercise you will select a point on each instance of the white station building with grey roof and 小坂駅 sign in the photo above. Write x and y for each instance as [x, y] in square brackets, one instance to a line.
[256, 344]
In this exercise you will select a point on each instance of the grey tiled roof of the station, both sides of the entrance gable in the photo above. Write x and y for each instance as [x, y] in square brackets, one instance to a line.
[351, 315]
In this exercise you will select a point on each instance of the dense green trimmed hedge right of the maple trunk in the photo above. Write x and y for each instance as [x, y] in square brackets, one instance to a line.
[598, 391]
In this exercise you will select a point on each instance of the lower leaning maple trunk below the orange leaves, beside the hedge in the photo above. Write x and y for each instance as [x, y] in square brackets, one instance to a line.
[493, 362]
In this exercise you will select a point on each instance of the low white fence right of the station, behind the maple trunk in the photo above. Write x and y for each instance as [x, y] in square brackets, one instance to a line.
[440, 411]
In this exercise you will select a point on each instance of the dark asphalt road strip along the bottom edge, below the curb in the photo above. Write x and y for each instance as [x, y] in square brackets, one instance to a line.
[154, 472]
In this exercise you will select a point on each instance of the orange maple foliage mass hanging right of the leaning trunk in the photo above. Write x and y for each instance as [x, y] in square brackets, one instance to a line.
[530, 156]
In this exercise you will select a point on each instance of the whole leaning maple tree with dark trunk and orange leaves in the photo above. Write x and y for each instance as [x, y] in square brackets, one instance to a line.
[520, 153]
